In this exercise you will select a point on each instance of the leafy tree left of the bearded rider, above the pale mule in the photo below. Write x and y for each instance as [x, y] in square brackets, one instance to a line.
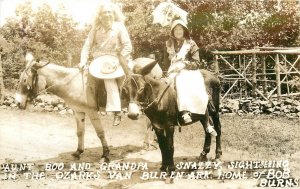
[49, 35]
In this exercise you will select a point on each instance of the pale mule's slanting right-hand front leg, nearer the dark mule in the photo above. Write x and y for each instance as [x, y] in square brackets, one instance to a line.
[94, 117]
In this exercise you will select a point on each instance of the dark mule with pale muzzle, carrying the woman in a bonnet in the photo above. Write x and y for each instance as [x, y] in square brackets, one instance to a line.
[159, 102]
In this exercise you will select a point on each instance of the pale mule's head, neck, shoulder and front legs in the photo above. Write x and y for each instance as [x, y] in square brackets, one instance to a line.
[70, 85]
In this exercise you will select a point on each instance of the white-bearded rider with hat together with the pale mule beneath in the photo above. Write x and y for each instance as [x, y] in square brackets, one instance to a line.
[80, 88]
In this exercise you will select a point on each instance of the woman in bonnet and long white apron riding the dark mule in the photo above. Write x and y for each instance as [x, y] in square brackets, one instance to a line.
[182, 58]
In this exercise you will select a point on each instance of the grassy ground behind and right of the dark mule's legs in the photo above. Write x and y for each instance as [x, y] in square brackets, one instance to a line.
[251, 138]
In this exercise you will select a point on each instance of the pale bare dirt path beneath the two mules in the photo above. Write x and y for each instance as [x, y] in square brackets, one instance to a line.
[41, 138]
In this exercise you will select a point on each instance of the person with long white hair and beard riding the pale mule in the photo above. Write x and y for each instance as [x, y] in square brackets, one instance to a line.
[108, 37]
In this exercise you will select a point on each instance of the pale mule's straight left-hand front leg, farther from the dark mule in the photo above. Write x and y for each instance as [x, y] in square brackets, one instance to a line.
[80, 121]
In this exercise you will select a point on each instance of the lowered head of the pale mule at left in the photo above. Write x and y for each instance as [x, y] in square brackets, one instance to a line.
[29, 83]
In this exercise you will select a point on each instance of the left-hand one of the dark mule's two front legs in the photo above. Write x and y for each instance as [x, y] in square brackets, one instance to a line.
[162, 145]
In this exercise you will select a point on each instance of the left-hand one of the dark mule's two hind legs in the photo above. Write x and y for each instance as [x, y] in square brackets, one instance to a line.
[207, 142]
